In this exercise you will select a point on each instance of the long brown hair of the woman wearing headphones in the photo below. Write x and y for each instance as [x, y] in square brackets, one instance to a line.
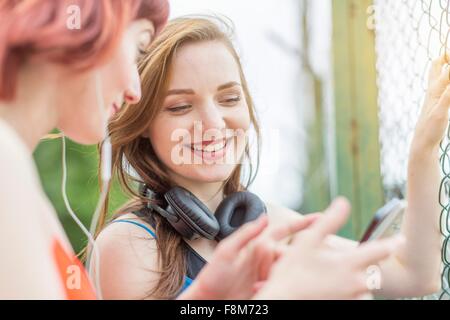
[130, 150]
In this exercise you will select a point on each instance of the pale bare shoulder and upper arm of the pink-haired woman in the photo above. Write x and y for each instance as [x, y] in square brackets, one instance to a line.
[27, 250]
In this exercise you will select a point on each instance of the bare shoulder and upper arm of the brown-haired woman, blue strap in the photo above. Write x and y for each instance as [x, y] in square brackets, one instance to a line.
[128, 253]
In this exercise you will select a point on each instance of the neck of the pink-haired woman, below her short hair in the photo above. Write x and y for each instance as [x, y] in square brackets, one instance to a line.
[32, 113]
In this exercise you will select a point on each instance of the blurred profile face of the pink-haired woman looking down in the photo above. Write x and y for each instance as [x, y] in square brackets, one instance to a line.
[83, 114]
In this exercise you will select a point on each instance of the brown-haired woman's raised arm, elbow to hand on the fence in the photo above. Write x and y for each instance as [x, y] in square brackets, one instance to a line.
[415, 270]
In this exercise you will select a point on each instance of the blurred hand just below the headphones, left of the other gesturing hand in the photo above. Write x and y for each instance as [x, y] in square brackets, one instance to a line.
[243, 260]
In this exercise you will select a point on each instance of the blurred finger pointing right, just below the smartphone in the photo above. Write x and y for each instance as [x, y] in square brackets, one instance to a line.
[374, 252]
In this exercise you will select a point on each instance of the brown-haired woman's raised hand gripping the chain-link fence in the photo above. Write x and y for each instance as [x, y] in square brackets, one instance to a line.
[433, 119]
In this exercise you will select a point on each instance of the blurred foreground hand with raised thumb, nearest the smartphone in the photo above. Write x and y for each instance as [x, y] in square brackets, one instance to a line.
[311, 269]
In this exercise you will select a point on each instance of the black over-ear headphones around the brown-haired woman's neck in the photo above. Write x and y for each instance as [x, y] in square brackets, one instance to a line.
[192, 219]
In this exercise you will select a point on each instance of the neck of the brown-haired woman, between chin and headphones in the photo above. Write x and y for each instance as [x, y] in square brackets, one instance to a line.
[211, 194]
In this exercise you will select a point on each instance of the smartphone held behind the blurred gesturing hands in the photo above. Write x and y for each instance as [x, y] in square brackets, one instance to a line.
[387, 221]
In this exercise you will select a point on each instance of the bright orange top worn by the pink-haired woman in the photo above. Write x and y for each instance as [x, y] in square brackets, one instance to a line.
[73, 275]
